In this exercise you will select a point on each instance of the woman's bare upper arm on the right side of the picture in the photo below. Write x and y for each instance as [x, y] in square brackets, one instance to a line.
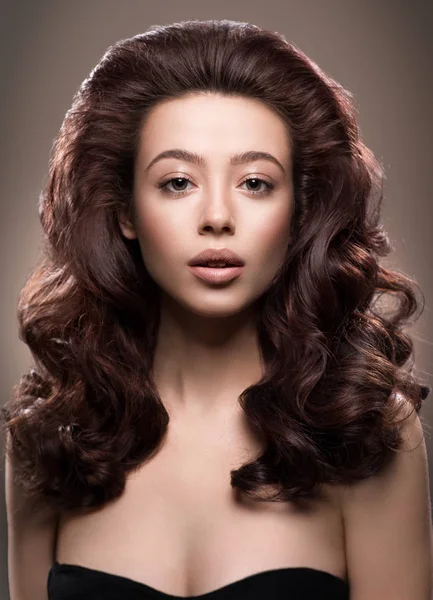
[388, 526]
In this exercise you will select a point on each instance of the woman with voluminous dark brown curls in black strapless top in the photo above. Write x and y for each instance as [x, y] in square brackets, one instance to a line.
[218, 407]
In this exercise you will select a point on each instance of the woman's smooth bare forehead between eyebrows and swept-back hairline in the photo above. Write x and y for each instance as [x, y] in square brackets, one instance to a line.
[211, 123]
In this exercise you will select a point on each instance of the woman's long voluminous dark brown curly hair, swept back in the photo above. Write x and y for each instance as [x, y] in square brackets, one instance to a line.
[334, 393]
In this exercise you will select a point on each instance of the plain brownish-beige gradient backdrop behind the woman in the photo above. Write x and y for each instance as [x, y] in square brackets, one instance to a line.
[379, 49]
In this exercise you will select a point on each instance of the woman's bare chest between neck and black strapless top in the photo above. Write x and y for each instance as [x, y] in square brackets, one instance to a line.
[179, 526]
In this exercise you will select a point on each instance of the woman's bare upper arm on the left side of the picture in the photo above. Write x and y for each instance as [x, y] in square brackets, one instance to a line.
[31, 542]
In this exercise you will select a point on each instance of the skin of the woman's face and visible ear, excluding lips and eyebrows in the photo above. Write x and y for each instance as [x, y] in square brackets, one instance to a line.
[182, 207]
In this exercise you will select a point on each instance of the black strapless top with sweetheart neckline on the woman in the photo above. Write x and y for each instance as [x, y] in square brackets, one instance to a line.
[73, 582]
